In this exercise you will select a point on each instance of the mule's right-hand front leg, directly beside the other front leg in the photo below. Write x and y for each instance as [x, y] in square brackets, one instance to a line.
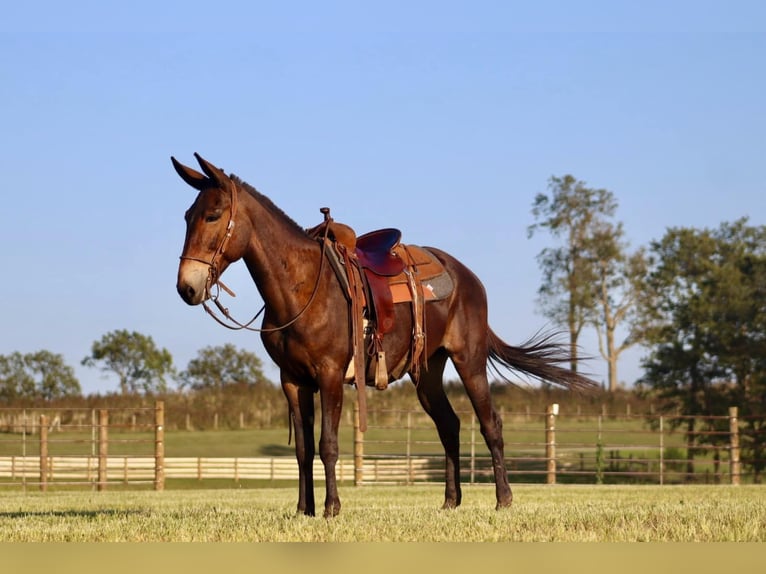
[332, 404]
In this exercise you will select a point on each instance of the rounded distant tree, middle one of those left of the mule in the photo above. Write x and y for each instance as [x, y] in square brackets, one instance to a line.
[140, 366]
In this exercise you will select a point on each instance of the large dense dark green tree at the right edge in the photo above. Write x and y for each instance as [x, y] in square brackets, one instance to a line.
[705, 326]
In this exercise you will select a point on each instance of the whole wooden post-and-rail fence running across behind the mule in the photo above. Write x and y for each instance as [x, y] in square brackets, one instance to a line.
[400, 447]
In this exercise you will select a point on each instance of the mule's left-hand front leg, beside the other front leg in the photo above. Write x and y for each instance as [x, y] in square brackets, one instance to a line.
[301, 402]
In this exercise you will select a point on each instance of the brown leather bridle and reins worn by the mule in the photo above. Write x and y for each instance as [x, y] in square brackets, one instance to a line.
[214, 280]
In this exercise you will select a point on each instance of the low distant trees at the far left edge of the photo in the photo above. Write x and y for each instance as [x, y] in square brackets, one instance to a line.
[40, 375]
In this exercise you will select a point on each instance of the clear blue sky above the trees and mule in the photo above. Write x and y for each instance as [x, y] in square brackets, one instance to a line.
[444, 119]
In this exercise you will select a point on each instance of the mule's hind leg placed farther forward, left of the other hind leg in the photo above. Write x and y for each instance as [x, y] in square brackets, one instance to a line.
[434, 401]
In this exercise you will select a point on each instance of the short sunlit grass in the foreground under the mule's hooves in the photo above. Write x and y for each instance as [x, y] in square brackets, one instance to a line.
[539, 513]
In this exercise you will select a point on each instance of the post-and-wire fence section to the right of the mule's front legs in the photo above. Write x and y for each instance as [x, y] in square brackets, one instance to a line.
[556, 447]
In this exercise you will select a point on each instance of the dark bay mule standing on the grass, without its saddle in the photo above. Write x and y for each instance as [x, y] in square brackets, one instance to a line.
[306, 329]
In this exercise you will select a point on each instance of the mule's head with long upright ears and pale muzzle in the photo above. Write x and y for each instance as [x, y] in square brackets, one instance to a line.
[210, 245]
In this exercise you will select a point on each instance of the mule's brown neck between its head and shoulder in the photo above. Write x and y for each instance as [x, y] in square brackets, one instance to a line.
[282, 259]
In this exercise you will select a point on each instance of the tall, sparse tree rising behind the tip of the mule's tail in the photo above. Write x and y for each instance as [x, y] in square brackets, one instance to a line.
[571, 213]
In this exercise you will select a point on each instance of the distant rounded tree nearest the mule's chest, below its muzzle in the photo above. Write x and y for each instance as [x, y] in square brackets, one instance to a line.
[214, 368]
